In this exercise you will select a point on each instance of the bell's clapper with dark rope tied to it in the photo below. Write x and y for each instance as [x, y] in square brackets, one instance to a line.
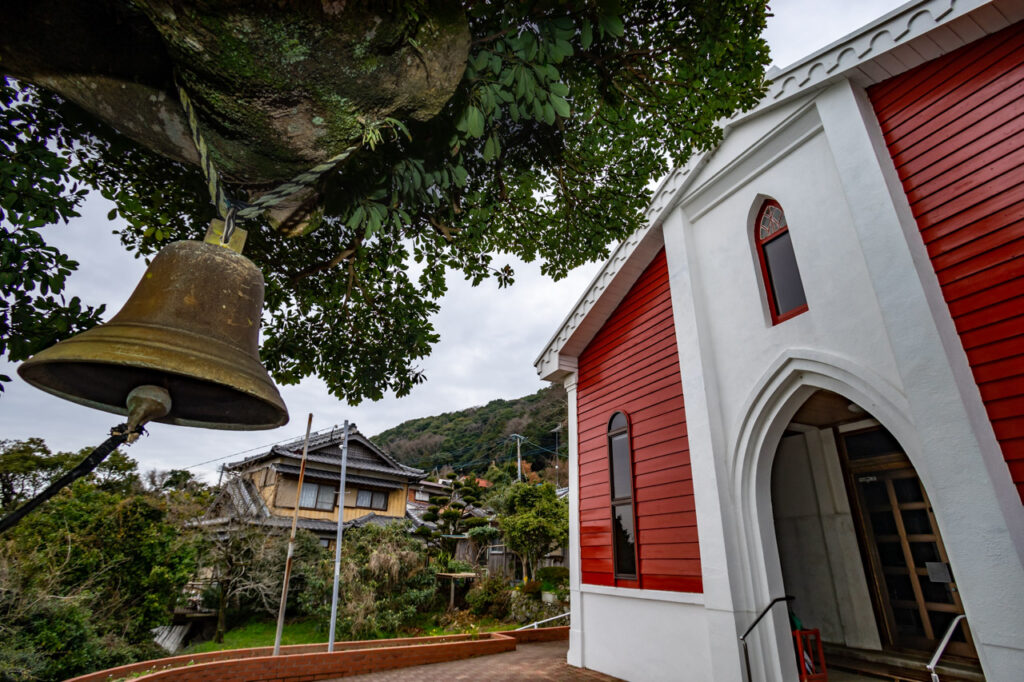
[145, 404]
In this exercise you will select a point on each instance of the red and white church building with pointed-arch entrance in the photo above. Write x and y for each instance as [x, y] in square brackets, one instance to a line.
[805, 376]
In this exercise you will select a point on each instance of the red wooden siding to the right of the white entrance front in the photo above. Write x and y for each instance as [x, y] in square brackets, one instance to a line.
[955, 129]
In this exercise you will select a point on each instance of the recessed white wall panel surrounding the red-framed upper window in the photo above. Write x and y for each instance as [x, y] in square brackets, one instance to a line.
[843, 315]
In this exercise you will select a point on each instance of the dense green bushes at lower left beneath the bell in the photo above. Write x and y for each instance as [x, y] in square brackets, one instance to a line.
[87, 578]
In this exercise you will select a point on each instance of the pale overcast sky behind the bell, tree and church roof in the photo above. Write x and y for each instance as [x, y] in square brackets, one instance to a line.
[490, 337]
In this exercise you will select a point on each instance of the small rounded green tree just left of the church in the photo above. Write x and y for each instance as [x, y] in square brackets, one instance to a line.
[534, 523]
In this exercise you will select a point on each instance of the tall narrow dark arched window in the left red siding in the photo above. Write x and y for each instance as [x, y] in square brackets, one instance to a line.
[621, 467]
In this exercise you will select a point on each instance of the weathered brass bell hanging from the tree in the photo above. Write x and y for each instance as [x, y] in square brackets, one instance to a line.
[191, 327]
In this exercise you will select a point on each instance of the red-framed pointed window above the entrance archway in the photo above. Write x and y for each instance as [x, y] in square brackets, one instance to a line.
[779, 264]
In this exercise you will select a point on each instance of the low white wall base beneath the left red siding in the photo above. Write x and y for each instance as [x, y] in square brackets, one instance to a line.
[646, 638]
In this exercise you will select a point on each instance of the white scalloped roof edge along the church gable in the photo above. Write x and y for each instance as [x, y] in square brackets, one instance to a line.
[909, 36]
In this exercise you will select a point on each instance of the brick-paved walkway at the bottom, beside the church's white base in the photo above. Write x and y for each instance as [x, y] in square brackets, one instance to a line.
[543, 661]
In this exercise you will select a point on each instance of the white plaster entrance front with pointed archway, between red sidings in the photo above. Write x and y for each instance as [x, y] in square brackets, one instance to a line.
[873, 332]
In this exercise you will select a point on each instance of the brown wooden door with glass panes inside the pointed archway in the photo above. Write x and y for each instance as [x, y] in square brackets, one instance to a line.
[915, 590]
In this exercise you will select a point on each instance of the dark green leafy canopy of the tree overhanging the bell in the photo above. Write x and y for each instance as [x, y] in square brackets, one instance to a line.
[565, 115]
